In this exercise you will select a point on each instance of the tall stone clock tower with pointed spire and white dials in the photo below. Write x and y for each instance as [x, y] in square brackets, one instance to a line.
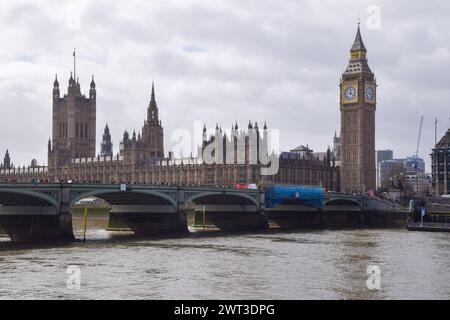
[358, 104]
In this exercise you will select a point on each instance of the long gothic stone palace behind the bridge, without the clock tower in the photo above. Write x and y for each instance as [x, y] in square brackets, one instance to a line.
[141, 159]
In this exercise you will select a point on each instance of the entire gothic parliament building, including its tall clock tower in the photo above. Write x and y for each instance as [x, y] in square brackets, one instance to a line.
[142, 159]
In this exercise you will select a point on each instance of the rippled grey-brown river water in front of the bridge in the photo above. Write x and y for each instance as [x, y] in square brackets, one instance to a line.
[272, 265]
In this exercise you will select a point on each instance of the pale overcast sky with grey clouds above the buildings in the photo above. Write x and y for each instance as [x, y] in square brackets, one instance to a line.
[222, 61]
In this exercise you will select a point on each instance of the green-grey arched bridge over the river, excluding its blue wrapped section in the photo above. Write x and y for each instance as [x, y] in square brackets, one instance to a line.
[42, 211]
